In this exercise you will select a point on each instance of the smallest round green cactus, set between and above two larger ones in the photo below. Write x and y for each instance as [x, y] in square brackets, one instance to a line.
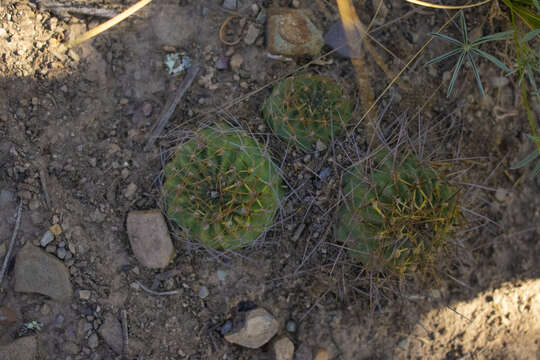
[307, 108]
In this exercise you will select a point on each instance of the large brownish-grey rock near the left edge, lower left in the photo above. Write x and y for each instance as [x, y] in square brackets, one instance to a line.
[39, 272]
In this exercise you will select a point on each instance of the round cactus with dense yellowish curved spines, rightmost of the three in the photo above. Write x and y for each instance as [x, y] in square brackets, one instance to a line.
[399, 218]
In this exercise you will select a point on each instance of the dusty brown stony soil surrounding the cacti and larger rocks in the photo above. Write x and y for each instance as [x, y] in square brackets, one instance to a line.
[73, 124]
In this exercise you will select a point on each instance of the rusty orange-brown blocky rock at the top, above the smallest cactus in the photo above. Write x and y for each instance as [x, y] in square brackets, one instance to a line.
[292, 33]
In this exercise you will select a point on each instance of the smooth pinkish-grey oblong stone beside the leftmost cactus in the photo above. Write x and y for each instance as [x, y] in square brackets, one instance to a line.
[149, 238]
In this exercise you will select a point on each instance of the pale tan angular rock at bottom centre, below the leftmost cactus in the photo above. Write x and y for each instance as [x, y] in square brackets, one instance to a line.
[259, 326]
